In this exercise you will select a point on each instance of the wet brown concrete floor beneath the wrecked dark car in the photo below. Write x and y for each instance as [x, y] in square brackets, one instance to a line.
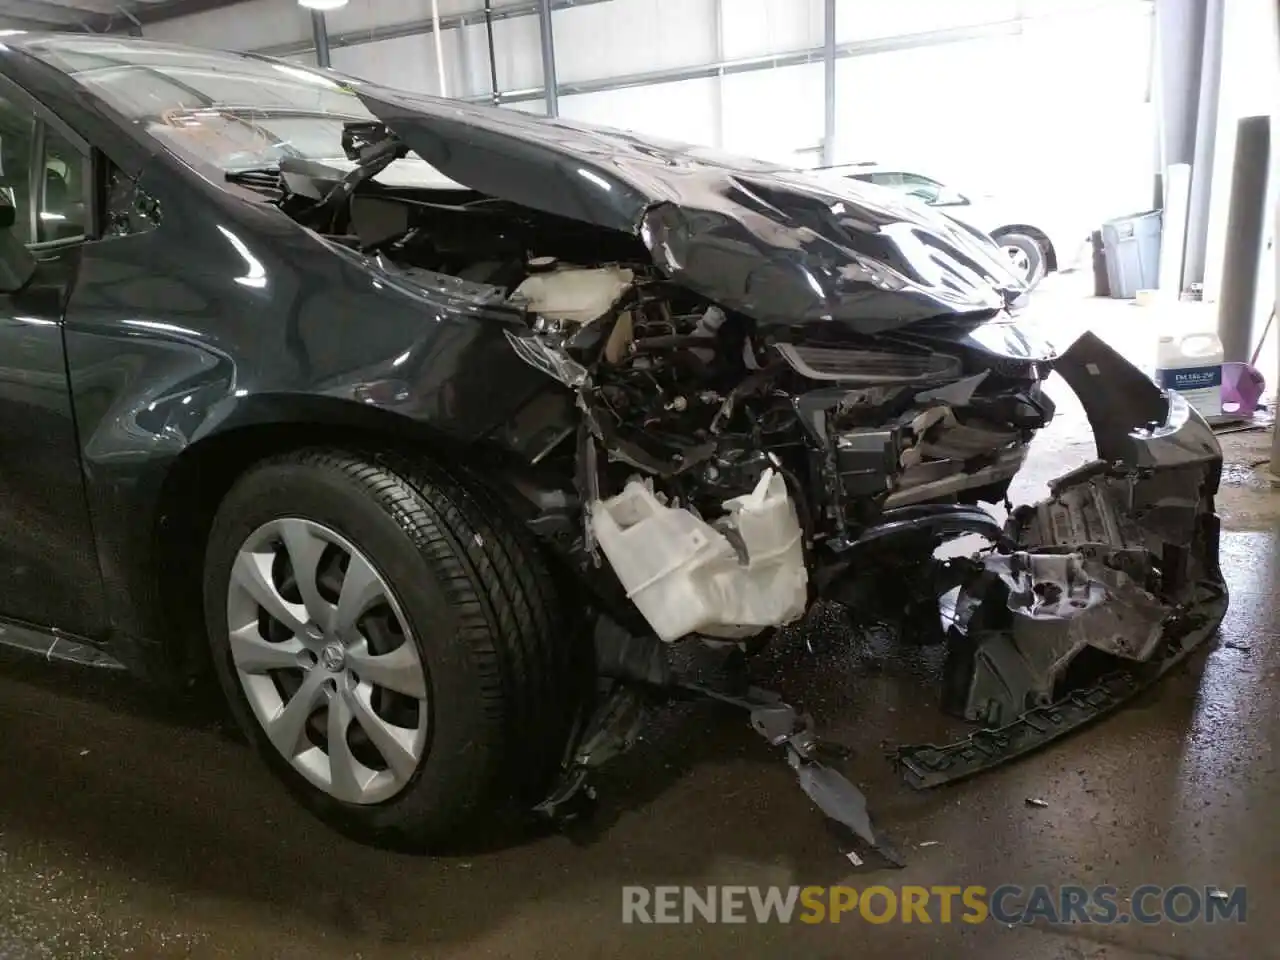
[132, 830]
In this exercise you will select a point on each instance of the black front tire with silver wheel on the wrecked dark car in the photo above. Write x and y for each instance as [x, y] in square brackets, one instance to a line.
[463, 588]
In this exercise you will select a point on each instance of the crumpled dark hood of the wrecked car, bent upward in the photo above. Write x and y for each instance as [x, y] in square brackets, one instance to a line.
[778, 245]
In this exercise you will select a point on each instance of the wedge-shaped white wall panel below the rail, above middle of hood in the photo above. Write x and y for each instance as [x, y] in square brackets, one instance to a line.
[683, 112]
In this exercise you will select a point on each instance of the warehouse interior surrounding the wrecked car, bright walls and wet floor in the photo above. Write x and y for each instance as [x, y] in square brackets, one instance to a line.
[140, 826]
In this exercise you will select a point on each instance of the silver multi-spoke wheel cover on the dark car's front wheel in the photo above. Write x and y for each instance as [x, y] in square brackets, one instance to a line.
[327, 661]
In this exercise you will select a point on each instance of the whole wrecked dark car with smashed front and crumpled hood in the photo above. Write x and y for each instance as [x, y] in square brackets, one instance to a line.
[433, 432]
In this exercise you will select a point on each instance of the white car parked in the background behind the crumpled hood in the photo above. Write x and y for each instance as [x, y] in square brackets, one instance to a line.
[1035, 248]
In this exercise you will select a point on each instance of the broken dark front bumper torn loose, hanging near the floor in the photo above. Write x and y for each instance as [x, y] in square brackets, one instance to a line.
[1121, 560]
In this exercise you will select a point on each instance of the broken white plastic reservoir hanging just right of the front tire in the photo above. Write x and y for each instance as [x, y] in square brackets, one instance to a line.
[685, 577]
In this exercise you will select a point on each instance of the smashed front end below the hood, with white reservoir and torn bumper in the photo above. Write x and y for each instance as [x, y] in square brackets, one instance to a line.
[733, 481]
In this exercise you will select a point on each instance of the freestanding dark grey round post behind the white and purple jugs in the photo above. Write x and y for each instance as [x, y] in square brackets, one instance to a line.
[1245, 231]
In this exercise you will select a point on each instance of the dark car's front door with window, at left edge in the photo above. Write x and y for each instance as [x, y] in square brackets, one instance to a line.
[49, 570]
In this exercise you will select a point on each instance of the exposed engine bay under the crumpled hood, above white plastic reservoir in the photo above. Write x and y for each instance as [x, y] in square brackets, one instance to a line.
[693, 396]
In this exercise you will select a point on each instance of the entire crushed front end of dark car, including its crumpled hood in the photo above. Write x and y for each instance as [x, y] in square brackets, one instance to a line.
[765, 391]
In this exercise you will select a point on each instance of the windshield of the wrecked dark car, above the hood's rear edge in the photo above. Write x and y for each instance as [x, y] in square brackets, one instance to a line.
[234, 112]
